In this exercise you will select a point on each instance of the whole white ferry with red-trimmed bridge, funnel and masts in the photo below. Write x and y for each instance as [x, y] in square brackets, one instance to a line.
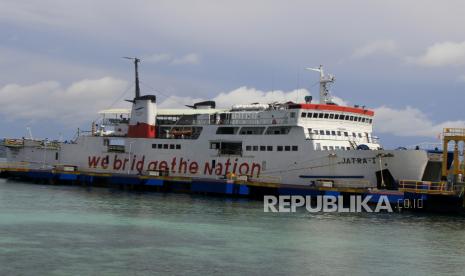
[303, 143]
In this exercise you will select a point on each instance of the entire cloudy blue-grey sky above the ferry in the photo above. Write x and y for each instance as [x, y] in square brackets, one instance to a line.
[60, 61]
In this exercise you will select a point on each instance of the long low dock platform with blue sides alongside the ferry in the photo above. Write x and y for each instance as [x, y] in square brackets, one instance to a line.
[434, 196]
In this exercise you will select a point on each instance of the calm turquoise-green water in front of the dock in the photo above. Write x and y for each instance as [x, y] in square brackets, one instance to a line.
[63, 230]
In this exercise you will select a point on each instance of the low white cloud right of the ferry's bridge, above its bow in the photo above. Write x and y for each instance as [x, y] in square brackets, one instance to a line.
[409, 121]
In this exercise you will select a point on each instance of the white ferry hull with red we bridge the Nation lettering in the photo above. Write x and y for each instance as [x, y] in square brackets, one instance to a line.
[352, 168]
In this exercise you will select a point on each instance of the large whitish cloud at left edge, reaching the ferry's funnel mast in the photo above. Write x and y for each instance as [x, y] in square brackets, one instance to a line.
[72, 105]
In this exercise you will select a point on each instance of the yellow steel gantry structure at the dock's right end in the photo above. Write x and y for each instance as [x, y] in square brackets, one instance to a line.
[456, 135]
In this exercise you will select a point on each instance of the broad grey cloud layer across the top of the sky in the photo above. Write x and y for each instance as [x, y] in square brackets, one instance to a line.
[174, 24]
